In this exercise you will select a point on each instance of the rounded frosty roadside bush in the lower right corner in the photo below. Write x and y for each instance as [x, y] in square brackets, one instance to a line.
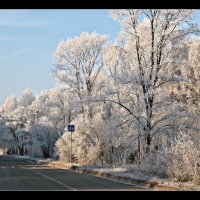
[182, 159]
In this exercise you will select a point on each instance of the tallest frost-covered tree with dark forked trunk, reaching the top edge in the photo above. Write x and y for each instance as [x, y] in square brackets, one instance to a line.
[142, 59]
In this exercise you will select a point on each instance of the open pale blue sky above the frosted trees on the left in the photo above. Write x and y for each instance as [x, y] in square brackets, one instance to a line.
[28, 39]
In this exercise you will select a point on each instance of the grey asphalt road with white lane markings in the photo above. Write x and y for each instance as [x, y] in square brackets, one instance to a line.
[16, 174]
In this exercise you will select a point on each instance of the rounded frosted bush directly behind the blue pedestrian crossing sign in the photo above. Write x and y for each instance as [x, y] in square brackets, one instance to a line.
[87, 141]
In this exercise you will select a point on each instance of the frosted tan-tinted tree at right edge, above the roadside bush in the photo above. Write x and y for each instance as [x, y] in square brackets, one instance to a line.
[185, 93]
